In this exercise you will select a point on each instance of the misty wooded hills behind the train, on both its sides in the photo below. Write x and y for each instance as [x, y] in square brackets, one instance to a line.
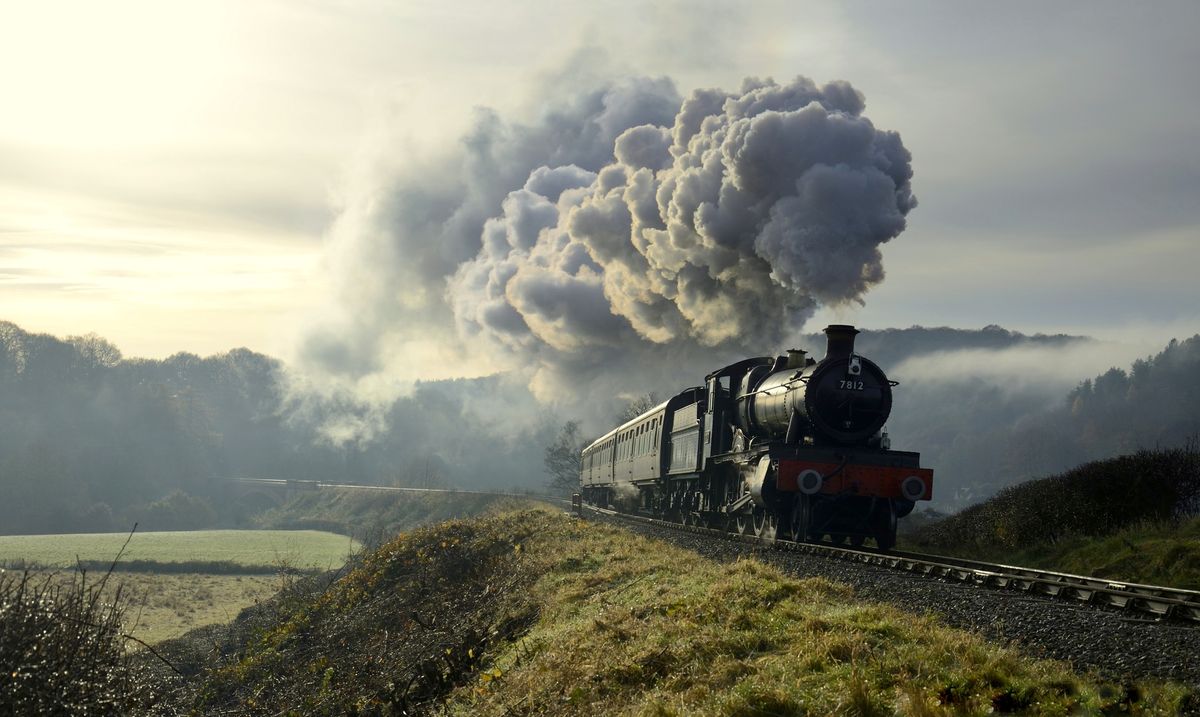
[94, 442]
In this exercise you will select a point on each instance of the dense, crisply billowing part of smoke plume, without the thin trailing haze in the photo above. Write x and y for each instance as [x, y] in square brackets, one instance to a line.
[723, 231]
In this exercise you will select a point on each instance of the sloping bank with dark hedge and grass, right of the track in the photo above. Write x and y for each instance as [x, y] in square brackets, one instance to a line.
[1131, 519]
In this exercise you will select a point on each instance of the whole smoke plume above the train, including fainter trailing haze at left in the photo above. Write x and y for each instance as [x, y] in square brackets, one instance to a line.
[628, 230]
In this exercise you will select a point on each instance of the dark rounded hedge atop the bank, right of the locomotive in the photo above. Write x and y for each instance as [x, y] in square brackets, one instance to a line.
[1095, 499]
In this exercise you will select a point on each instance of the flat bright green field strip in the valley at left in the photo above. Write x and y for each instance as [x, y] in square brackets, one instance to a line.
[291, 549]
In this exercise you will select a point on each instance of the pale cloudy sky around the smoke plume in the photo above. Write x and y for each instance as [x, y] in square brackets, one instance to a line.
[181, 176]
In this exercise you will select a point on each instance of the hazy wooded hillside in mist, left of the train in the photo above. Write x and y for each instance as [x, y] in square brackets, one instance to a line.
[93, 442]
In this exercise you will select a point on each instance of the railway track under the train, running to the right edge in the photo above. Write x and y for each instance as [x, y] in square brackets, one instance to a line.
[1151, 601]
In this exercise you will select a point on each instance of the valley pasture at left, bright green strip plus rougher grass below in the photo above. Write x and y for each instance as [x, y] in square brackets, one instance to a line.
[175, 582]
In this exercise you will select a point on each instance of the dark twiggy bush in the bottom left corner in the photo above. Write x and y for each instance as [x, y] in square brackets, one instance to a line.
[63, 652]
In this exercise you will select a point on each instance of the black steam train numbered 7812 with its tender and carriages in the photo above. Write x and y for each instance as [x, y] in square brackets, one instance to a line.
[781, 448]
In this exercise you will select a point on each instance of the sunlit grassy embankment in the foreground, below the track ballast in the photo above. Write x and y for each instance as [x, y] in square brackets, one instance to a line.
[538, 613]
